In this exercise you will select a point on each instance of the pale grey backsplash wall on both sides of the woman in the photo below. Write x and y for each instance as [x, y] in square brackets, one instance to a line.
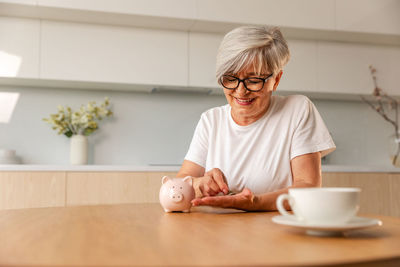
[157, 128]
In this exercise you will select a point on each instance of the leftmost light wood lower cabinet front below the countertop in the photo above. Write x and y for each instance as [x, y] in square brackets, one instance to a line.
[31, 189]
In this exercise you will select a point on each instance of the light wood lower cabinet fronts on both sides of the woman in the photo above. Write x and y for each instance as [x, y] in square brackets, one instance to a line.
[380, 191]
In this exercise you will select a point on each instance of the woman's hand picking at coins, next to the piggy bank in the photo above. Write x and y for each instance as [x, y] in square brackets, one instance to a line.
[212, 183]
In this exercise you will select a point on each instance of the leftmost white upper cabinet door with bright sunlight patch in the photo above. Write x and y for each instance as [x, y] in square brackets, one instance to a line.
[19, 47]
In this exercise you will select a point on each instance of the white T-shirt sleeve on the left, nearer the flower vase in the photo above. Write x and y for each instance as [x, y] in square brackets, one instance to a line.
[198, 149]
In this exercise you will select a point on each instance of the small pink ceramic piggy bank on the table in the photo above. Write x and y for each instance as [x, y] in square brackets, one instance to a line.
[176, 194]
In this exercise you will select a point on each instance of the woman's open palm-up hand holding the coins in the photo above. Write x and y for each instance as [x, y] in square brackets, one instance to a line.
[244, 200]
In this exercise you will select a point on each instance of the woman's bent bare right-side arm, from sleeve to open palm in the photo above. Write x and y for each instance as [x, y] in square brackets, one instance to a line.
[306, 172]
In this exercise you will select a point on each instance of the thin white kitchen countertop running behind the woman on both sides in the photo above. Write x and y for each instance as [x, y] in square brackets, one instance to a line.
[169, 168]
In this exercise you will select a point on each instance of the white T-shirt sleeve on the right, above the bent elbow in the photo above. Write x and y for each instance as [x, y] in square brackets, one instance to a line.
[311, 135]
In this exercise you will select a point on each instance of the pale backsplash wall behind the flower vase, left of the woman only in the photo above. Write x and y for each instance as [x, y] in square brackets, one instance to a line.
[146, 128]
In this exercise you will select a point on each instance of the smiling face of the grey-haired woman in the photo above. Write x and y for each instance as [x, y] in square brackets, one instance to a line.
[247, 106]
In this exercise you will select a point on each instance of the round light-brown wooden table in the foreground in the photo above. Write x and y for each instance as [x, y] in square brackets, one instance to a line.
[143, 235]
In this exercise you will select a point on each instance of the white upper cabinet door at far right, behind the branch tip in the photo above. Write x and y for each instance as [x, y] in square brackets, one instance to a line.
[344, 67]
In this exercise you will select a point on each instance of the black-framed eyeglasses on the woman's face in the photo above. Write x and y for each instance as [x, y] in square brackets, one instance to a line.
[251, 84]
